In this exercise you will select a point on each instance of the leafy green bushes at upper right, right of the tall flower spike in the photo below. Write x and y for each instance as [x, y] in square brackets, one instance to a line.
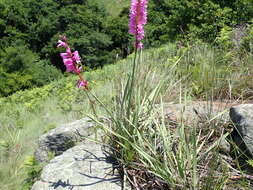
[186, 19]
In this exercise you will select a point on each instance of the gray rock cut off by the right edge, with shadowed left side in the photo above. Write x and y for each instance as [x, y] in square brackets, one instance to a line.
[242, 117]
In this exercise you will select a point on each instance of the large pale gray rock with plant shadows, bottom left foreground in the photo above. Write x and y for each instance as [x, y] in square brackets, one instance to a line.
[83, 167]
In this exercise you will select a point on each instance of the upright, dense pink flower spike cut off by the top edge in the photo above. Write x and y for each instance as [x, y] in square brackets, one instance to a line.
[138, 18]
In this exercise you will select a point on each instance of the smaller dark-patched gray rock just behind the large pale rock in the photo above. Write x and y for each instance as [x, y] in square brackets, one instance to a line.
[62, 138]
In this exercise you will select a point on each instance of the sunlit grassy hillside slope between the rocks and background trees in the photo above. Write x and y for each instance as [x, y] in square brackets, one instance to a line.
[196, 72]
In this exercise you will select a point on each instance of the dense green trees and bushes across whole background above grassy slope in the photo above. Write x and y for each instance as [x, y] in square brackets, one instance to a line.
[29, 30]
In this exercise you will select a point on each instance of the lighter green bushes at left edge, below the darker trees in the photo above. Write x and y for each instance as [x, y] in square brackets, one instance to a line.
[21, 69]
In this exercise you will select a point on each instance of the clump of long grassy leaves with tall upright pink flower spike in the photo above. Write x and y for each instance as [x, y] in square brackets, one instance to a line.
[152, 153]
